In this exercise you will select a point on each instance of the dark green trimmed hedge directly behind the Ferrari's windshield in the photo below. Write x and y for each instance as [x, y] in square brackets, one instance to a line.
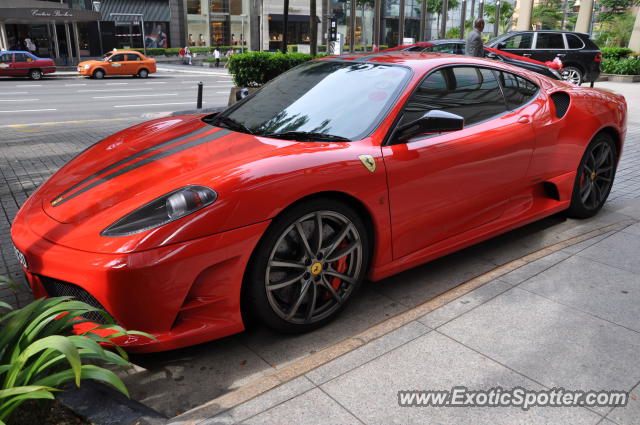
[253, 69]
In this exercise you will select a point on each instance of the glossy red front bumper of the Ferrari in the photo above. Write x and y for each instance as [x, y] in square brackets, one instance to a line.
[183, 294]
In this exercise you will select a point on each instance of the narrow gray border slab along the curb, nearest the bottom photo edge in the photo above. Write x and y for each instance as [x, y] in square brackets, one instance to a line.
[261, 403]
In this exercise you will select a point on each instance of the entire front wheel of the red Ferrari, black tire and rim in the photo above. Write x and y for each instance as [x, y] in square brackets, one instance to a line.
[308, 296]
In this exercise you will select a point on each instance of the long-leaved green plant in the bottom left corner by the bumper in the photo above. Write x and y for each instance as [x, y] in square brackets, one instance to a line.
[39, 352]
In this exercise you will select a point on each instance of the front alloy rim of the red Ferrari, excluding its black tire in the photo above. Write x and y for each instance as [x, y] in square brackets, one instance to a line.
[313, 267]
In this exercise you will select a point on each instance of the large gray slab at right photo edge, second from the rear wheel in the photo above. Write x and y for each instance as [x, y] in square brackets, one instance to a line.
[607, 292]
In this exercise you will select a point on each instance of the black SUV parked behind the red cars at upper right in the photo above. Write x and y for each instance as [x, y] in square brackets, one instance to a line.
[579, 55]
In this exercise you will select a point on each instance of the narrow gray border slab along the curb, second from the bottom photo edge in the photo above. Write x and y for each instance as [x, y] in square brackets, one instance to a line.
[367, 352]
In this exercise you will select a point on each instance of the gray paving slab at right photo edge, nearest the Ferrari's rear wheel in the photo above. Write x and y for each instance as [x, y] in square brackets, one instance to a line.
[617, 251]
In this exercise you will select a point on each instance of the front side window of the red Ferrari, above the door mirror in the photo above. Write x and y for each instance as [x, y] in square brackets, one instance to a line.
[470, 92]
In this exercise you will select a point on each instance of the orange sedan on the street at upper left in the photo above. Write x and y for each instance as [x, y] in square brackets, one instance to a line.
[120, 62]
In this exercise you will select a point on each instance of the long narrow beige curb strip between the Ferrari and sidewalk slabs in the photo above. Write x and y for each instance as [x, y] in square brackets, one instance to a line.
[303, 366]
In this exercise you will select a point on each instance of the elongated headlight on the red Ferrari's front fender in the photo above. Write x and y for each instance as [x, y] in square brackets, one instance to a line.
[167, 208]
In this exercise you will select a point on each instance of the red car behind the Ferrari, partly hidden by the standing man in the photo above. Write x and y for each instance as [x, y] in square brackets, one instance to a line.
[457, 47]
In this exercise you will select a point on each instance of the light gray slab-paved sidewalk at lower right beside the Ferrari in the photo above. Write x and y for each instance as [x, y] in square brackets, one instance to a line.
[569, 319]
